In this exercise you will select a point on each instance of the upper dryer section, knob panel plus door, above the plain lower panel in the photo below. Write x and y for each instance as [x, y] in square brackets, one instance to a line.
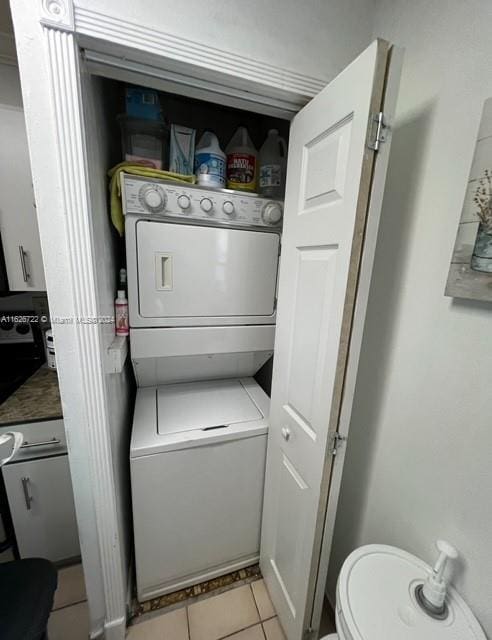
[199, 257]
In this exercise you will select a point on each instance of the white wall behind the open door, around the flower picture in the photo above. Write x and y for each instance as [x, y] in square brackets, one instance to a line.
[419, 463]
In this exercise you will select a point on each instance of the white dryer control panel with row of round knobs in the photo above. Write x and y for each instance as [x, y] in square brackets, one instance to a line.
[143, 196]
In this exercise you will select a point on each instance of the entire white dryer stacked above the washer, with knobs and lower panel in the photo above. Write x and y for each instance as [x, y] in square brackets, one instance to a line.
[202, 280]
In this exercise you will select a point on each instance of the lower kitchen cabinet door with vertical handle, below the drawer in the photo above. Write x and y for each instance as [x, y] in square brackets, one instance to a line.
[42, 508]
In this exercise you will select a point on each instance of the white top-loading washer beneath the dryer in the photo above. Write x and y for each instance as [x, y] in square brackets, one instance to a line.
[197, 465]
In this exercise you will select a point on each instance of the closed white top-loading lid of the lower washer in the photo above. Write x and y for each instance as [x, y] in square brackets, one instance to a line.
[203, 405]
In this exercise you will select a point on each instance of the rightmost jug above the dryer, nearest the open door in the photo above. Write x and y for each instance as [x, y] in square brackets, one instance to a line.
[273, 160]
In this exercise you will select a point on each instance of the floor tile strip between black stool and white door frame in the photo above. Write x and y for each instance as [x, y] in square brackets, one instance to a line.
[69, 619]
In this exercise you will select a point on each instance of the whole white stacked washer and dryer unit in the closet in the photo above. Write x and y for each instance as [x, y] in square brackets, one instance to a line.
[202, 279]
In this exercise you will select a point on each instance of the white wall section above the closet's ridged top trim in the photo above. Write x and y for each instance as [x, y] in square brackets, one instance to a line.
[316, 37]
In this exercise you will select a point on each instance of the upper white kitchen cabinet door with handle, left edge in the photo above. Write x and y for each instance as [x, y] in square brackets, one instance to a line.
[18, 222]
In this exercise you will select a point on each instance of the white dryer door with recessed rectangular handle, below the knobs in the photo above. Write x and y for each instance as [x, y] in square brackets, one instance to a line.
[188, 275]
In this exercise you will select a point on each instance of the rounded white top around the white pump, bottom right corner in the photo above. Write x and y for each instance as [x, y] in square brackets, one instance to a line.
[375, 594]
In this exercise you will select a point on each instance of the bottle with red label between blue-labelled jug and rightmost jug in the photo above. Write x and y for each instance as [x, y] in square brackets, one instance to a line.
[242, 160]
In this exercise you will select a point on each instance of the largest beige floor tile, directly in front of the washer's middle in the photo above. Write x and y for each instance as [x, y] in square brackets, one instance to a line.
[222, 615]
